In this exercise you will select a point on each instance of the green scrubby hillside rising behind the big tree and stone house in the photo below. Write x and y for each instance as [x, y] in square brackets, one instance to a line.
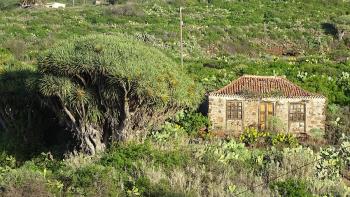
[241, 36]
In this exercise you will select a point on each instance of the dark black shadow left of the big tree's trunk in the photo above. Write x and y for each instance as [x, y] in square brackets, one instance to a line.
[27, 126]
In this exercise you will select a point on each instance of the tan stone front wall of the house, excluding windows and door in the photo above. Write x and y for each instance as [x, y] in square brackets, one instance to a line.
[315, 113]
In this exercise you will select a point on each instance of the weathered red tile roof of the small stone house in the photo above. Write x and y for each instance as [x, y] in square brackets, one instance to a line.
[251, 85]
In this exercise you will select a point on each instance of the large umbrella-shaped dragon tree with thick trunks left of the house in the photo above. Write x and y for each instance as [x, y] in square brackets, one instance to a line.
[112, 87]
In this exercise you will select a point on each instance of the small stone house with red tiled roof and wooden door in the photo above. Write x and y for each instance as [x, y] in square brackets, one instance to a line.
[264, 101]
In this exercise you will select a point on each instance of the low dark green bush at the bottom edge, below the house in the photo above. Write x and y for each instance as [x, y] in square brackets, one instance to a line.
[291, 187]
